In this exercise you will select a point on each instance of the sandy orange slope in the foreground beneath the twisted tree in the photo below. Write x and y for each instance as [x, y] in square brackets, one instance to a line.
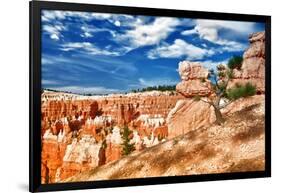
[235, 146]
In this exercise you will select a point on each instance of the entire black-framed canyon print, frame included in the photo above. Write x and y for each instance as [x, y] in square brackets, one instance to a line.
[125, 96]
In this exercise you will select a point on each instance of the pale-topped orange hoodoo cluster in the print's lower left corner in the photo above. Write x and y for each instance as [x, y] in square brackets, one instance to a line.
[63, 158]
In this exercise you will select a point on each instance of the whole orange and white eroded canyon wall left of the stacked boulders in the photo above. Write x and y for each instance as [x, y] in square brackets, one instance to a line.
[79, 133]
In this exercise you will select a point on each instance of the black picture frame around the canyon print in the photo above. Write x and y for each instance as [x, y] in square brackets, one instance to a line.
[35, 95]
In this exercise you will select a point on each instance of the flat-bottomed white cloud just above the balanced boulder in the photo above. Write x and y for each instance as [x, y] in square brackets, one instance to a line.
[179, 48]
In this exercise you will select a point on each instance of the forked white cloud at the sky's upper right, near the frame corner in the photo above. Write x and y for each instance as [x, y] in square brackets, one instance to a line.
[209, 30]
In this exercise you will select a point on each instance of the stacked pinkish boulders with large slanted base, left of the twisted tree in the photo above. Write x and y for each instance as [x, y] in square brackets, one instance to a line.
[189, 114]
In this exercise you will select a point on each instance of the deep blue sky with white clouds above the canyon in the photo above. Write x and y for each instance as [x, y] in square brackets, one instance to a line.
[100, 53]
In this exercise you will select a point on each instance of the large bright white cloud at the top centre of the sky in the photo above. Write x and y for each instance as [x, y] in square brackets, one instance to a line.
[149, 34]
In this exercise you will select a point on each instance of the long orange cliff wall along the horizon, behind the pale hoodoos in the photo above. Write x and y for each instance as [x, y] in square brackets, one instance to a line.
[122, 108]
